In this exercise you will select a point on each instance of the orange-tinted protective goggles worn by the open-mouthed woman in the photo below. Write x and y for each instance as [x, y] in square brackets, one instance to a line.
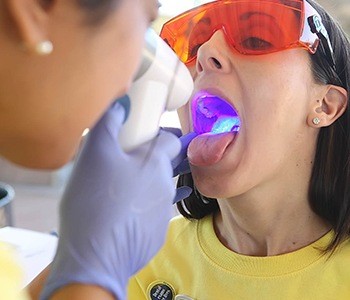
[251, 27]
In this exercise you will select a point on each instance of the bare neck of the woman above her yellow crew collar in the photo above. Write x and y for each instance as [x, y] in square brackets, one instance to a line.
[273, 224]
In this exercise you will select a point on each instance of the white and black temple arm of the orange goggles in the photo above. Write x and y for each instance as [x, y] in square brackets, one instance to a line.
[318, 28]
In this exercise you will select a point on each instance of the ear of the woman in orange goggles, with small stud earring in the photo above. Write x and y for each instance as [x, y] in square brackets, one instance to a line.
[328, 109]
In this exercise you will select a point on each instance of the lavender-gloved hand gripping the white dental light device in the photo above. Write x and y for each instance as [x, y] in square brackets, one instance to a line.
[115, 209]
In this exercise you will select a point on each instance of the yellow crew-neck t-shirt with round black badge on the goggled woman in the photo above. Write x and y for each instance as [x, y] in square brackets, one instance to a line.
[193, 262]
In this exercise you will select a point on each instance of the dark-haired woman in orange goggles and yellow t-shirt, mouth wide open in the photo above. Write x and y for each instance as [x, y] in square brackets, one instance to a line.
[269, 218]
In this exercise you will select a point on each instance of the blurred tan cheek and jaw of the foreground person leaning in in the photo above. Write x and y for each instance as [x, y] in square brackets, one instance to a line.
[47, 102]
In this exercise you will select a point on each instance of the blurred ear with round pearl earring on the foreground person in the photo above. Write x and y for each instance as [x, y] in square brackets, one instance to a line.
[30, 20]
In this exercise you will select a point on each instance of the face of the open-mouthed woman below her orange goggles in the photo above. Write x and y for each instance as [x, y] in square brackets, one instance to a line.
[272, 95]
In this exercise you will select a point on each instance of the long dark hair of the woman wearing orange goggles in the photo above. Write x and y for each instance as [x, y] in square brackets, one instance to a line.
[329, 190]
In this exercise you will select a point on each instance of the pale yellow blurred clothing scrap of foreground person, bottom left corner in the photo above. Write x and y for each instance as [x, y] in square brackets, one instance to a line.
[10, 276]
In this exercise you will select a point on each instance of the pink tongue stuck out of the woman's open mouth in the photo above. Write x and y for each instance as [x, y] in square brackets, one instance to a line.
[208, 149]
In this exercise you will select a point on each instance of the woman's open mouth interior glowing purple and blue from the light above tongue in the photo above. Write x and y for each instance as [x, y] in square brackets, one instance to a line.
[212, 114]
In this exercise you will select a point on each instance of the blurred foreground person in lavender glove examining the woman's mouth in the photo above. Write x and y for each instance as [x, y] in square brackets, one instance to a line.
[62, 64]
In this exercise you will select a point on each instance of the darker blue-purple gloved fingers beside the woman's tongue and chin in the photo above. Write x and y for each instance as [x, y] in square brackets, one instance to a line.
[180, 162]
